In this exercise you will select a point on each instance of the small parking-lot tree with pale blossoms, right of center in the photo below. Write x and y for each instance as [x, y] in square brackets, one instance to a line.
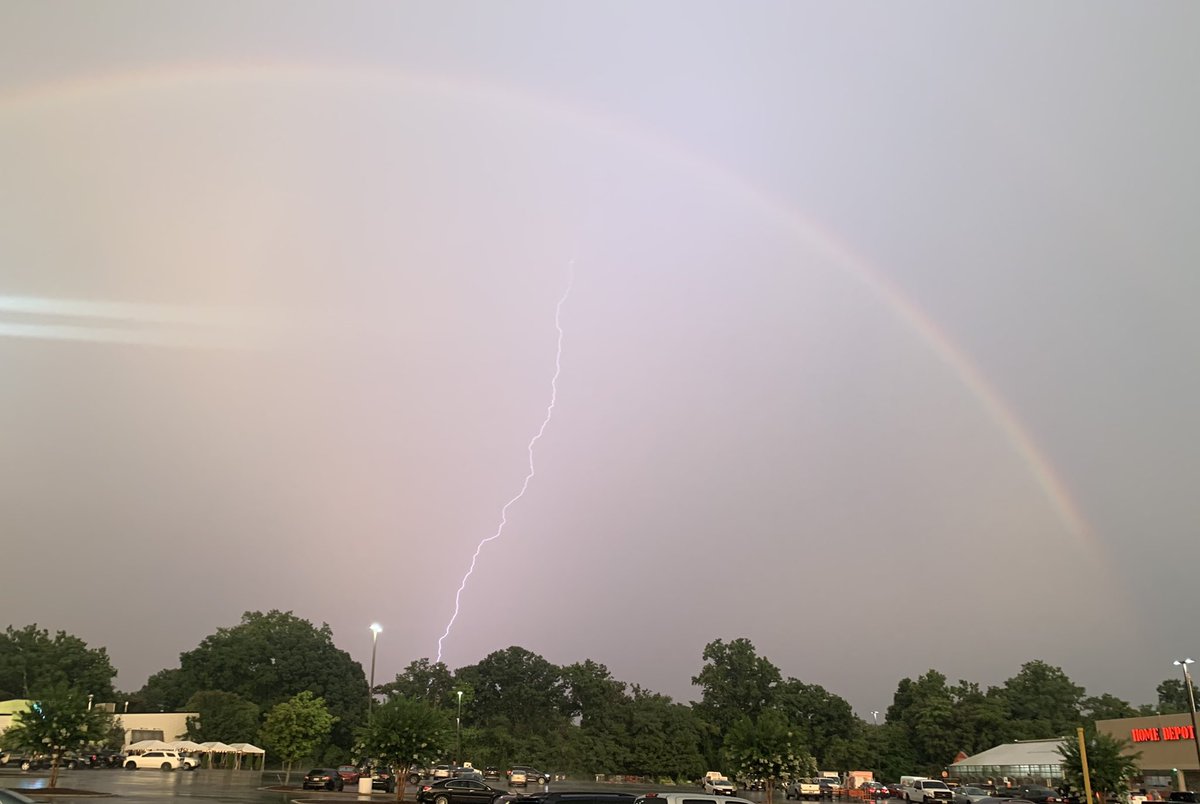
[767, 748]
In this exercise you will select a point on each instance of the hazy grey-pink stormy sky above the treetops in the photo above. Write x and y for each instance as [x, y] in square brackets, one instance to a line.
[879, 343]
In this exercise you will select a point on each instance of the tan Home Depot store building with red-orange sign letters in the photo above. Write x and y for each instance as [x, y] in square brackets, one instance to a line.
[1167, 747]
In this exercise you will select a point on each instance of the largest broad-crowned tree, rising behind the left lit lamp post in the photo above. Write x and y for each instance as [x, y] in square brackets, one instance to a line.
[269, 658]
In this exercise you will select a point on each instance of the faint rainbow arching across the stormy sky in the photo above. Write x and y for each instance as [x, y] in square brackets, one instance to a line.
[788, 218]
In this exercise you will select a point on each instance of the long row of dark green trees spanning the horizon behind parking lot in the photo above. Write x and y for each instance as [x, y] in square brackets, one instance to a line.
[578, 719]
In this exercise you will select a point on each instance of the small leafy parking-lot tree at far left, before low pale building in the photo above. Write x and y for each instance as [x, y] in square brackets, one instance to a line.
[58, 722]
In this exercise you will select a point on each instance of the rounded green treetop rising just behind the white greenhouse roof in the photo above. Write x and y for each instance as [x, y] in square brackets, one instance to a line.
[1043, 701]
